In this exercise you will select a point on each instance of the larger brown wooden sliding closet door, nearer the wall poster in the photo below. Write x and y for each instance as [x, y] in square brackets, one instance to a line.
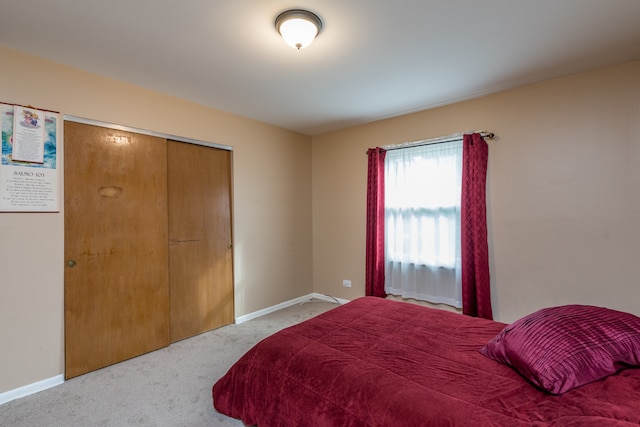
[116, 278]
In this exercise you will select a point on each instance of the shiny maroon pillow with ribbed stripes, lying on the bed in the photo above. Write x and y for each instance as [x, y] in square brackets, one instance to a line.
[560, 348]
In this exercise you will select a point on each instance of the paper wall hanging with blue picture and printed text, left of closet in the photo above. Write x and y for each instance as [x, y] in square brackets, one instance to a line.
[28, 169]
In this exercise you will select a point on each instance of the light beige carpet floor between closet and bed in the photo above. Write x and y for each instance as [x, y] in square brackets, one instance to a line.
[165, 388]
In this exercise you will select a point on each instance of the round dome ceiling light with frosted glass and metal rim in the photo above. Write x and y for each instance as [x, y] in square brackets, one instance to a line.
[298, 27]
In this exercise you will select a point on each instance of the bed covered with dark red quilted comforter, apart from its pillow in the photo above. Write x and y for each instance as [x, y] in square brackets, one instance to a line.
[377, 362]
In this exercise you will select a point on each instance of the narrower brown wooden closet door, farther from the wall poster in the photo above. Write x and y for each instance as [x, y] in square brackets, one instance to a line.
[200, 255]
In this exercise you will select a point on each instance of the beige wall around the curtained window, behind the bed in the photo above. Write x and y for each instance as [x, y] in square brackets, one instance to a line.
[563, 191]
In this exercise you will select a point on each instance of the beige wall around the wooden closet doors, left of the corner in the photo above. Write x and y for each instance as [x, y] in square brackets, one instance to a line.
[272, 205]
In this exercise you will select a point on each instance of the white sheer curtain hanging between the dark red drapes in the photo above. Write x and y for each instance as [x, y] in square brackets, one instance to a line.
[422, 229]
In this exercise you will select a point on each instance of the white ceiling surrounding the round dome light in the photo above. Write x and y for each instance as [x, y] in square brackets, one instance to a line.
[374, 58]
